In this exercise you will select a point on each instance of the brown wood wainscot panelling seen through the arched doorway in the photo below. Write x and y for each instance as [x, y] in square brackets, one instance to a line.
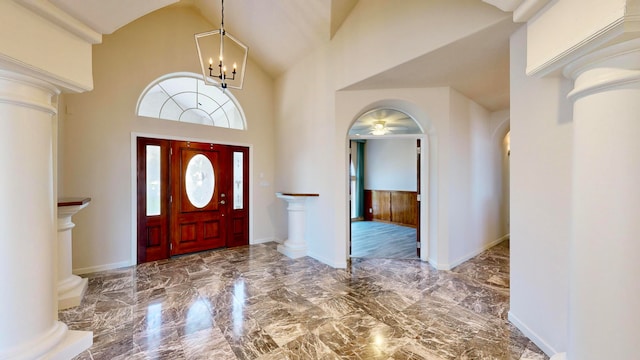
[398, 207]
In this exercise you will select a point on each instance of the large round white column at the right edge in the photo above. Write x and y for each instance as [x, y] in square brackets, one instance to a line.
[605, 270]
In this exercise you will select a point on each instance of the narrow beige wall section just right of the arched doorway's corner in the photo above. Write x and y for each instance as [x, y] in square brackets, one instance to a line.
[474, 170]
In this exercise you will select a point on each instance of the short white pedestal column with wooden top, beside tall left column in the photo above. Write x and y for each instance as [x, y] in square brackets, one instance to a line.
[71, 288]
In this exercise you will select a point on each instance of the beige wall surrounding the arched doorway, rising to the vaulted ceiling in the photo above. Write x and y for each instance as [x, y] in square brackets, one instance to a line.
[312, 127]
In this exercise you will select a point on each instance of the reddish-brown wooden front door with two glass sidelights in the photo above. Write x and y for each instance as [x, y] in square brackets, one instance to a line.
[191, 197]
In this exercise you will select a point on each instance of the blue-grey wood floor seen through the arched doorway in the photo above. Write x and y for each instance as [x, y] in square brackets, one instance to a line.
[372, 239]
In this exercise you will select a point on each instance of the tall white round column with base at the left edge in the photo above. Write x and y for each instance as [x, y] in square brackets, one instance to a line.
[28, 306]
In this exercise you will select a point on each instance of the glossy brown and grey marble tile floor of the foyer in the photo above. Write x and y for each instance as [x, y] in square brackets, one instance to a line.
[254, 303]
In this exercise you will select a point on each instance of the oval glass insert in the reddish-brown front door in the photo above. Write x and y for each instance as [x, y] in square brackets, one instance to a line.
[199, 181]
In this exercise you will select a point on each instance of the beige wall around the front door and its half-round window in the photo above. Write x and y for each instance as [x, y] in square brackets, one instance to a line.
[98, 126]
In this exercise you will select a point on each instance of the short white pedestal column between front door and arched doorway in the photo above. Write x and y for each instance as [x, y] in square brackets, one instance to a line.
[295, 246]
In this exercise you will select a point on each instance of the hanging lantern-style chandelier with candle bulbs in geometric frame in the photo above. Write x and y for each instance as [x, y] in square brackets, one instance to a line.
[222, 46]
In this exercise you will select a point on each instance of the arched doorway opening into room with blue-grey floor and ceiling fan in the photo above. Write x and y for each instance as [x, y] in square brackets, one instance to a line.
[385, 185]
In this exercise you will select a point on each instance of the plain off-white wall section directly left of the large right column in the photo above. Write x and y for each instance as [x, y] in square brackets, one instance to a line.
[541, 165]
